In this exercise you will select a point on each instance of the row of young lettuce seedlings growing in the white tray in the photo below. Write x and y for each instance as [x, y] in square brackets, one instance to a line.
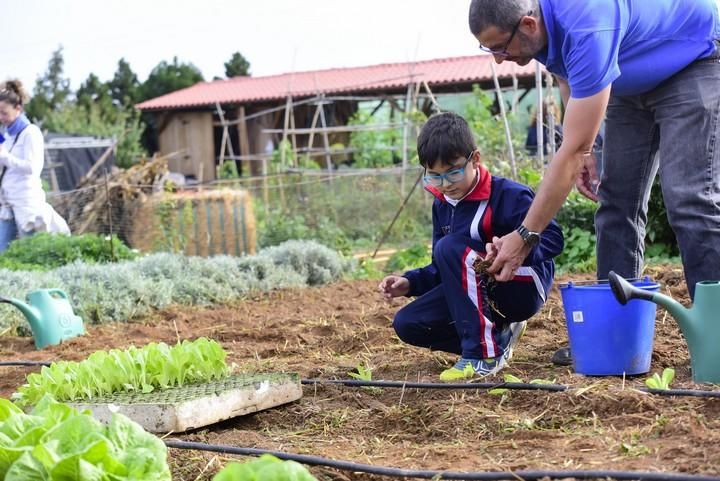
[132, 370]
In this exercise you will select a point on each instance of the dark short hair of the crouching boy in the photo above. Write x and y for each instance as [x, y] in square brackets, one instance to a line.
[444, 137]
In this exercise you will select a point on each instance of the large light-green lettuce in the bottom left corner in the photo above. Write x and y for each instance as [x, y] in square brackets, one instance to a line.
[57, 443]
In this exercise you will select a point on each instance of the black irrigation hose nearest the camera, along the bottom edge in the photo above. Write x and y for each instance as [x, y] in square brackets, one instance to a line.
[435, 474]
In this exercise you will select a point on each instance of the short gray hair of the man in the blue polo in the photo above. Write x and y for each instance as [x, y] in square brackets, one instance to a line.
[503, 14]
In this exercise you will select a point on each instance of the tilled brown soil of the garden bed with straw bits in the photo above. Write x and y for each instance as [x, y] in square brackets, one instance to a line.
[599, 424]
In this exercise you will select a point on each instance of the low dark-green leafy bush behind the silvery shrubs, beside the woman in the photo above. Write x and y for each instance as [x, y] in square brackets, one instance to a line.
[45, 251]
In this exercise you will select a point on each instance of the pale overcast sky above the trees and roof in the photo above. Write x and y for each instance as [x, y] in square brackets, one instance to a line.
[276, 36]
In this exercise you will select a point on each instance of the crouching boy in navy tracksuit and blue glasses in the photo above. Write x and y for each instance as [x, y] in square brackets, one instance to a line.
[461, 309]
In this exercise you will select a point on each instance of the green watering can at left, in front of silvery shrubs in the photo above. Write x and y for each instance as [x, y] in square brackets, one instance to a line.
[50, 315]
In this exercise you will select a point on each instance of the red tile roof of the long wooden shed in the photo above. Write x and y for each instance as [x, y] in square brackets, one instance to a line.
[443, 71]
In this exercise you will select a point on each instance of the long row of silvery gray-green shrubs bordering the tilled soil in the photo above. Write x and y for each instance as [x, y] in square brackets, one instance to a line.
[130, 289]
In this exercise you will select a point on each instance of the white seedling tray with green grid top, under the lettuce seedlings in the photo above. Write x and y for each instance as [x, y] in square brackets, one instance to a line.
[180, 409]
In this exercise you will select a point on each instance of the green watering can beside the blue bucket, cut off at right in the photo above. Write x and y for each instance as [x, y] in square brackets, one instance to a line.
[700, 324]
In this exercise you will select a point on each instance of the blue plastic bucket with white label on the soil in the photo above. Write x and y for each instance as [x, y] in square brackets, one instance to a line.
[607, 338]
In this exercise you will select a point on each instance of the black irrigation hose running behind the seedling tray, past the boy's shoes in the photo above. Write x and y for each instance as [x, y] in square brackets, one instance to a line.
[445, 385]
